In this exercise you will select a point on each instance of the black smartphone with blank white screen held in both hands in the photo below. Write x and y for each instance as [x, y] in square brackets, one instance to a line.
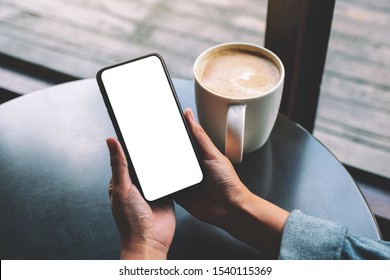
[149, 123]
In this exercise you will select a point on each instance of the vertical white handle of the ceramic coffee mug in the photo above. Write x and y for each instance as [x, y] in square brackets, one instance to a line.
[234, 140]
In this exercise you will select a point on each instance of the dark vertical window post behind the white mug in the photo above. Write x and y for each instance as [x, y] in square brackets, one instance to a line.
[298, 31]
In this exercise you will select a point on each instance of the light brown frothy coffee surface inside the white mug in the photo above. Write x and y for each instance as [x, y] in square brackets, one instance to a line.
[239, 73]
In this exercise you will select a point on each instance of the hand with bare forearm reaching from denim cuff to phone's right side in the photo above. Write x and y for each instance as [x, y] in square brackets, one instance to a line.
[223, 200]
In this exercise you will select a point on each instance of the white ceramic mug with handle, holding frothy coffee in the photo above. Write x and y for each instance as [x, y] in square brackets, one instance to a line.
[237, 125]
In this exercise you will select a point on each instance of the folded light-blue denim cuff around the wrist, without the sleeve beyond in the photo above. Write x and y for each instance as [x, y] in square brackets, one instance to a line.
[308, 238]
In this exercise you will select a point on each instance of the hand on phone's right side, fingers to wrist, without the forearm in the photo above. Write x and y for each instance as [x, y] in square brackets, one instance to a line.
[221, 189]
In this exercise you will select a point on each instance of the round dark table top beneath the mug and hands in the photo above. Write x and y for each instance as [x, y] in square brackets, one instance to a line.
[54, 173]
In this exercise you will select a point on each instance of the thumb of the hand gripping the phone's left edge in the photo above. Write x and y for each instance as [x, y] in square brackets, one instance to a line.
[119, 167]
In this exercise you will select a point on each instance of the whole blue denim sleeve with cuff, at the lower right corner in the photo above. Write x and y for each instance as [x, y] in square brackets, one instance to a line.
[306, 237]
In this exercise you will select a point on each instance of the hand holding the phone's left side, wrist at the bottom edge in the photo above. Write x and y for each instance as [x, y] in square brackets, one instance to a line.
[146, 230]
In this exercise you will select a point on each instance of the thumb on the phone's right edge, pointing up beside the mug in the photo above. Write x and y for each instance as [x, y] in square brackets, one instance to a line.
[206, 146]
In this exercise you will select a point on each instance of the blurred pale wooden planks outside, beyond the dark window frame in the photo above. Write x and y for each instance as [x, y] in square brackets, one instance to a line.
[81, 36]
